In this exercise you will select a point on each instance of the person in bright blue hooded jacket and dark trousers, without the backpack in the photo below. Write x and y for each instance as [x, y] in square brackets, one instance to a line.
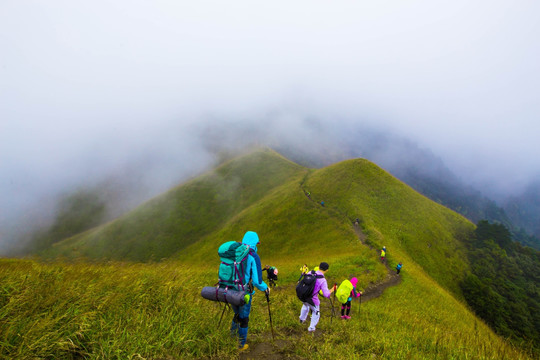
[254, 274]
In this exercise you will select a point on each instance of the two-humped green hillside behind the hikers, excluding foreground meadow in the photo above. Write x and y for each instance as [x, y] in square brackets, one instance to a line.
[266, 192]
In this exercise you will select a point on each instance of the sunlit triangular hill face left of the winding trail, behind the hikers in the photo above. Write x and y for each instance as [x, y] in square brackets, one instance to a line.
[288, 224]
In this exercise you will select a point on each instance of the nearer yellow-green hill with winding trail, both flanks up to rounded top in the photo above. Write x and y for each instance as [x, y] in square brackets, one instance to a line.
[412, 227]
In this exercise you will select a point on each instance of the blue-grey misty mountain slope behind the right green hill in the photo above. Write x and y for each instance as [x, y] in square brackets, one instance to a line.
[424, 172]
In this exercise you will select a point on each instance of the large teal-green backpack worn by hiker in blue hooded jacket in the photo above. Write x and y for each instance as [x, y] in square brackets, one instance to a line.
[232, 269]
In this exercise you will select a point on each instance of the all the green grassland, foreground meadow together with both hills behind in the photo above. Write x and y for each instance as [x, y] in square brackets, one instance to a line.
[121, 310]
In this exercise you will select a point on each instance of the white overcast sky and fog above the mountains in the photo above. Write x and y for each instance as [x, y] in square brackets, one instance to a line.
[88, 85]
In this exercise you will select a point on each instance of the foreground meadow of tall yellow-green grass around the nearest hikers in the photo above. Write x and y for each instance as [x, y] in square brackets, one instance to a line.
[154, 311]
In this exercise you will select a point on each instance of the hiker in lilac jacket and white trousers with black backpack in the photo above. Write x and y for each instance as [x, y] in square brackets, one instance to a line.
[310, 298]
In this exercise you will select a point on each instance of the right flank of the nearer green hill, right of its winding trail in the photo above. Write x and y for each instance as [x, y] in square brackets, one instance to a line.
[394, 215]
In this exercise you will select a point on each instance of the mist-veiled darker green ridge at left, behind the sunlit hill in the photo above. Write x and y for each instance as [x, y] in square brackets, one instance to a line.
[170, 222]
